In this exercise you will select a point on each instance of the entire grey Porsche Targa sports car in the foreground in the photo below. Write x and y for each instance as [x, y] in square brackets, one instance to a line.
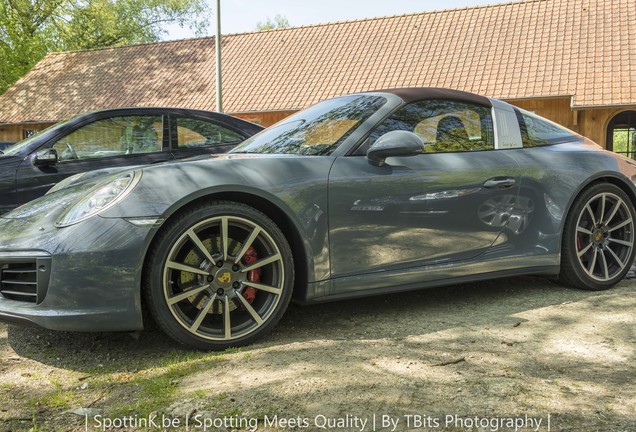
[369, 193]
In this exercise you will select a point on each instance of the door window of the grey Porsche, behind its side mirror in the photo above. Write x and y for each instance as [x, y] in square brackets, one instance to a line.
[443, 125]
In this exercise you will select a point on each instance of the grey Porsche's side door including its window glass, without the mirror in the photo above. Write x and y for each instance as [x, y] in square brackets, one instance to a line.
[446, 204]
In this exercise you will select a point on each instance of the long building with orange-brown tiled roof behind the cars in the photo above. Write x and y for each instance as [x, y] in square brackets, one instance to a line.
[570, 60]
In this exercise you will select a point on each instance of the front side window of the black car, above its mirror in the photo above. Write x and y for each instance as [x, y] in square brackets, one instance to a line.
[113, 137]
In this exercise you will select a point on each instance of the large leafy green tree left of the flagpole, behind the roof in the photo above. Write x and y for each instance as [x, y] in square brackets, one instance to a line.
[29, 29]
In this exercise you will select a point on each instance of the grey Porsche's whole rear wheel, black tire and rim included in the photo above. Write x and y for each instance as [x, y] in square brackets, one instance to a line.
[597, 248]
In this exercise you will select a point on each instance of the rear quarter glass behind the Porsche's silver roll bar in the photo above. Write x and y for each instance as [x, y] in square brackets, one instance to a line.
[537, 131]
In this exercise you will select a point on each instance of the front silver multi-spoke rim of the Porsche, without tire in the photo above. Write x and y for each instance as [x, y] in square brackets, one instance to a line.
[206, 278]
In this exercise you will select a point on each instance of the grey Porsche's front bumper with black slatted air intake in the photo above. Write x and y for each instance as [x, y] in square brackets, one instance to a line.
[86, 277]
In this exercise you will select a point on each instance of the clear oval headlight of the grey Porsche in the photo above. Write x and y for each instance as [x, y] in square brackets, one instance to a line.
[101, 197]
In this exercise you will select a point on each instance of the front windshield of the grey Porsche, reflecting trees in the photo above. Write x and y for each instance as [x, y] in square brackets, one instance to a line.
[318, 130]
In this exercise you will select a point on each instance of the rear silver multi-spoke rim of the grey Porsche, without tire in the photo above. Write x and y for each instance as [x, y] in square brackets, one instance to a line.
[604, 236]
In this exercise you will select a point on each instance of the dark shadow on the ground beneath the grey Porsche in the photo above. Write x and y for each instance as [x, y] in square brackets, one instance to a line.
[387, 316]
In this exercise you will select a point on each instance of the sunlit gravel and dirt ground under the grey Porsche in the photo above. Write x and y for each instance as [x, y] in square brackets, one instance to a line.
[473, 357]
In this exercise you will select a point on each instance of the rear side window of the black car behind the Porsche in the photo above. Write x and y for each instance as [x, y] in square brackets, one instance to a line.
[192, 132]
